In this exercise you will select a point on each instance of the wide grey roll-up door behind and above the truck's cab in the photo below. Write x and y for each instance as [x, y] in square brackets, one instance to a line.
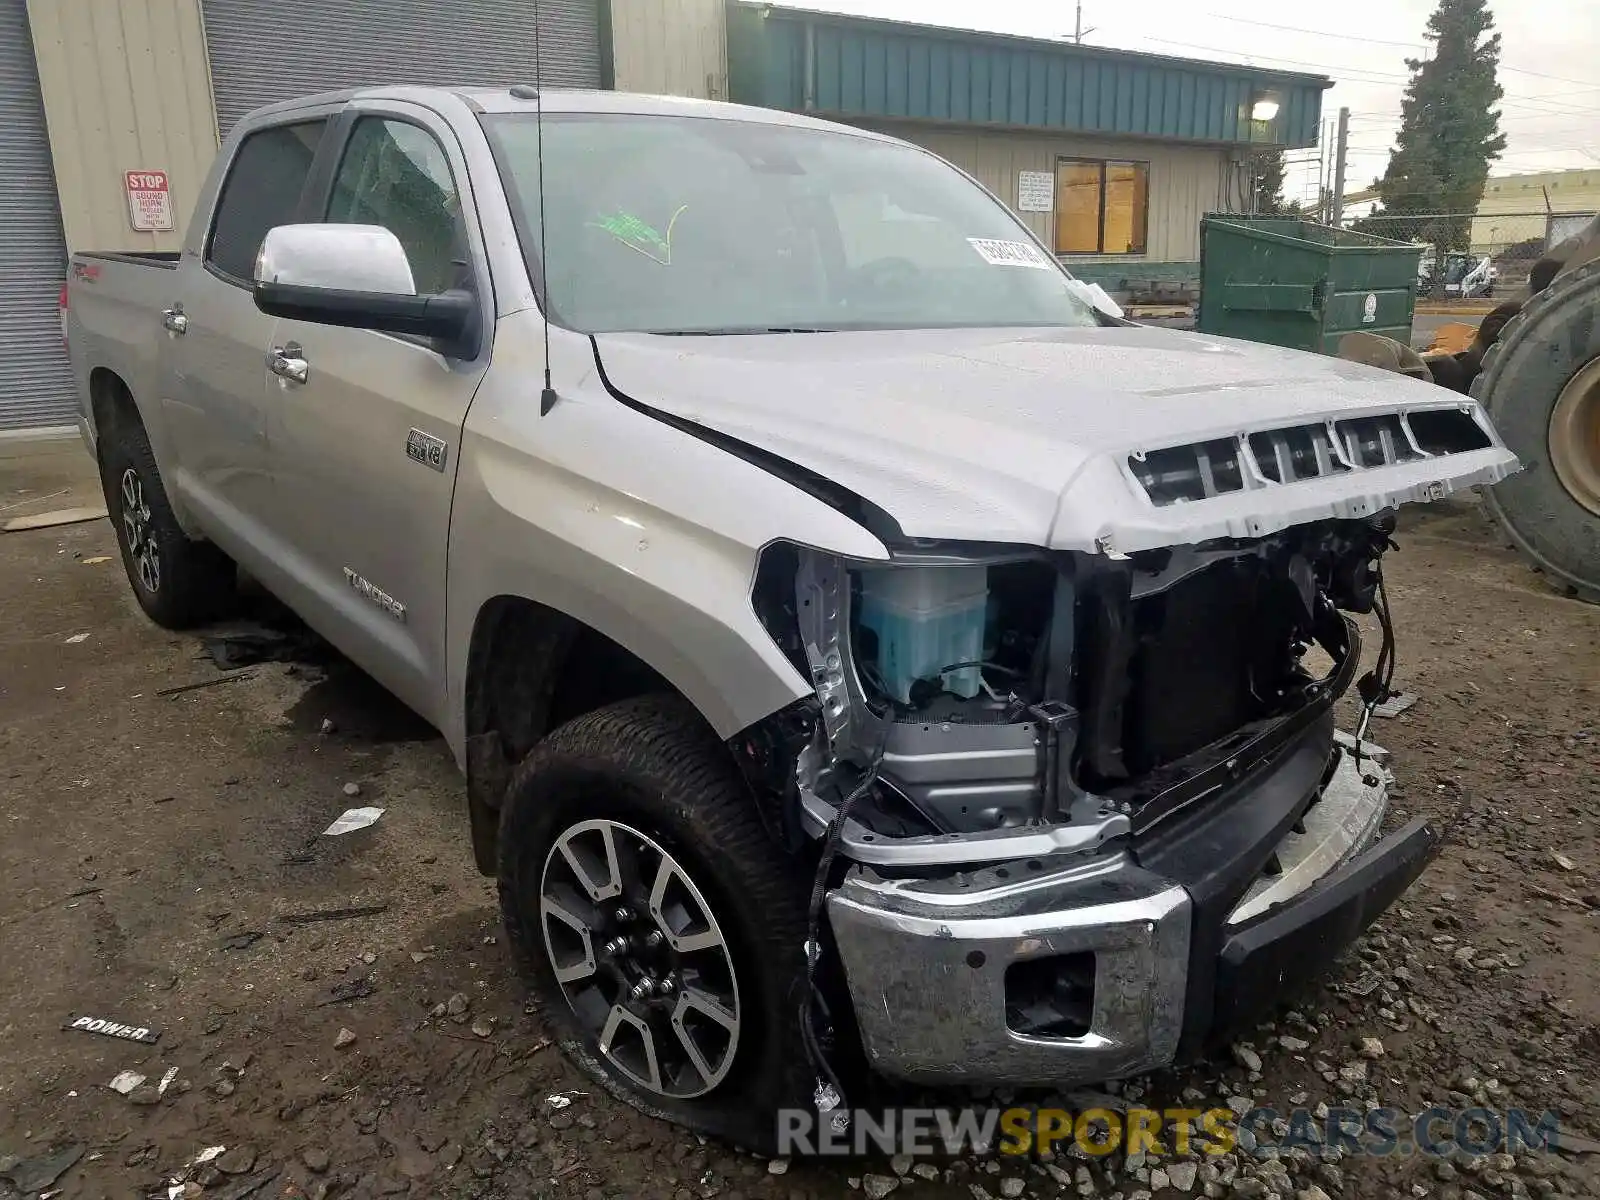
[263, 52]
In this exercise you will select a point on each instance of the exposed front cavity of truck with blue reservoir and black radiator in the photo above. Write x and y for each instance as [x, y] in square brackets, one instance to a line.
[1017, 702]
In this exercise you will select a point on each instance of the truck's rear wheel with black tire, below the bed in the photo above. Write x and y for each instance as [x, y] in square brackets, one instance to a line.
[178, 583]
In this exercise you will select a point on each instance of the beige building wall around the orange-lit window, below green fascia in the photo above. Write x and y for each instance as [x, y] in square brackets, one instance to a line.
[1186, 182]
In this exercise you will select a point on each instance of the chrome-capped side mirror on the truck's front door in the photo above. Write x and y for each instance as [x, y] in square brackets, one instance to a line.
[358, 278]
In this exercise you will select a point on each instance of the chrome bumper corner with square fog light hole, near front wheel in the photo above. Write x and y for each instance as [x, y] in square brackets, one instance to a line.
[927, 964]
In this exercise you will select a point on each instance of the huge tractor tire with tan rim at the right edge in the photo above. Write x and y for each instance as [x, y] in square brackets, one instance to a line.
[1542, 386]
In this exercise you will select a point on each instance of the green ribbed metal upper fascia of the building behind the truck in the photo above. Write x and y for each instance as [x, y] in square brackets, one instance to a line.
[860, 68]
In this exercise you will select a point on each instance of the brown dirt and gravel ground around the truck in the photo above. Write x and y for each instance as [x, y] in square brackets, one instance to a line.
[156, 846]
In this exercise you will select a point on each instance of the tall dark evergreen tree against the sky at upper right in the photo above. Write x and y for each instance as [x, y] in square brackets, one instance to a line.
[1449, 132]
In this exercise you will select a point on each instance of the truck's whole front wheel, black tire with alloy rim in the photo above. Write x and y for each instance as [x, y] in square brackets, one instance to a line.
[657, 926]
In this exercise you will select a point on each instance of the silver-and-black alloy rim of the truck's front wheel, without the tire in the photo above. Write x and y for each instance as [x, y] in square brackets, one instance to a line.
[641, 959]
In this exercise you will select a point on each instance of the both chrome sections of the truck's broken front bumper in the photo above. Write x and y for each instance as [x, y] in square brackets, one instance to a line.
[929, 959]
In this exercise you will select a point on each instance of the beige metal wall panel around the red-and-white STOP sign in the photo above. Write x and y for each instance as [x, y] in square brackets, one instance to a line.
[127, 89]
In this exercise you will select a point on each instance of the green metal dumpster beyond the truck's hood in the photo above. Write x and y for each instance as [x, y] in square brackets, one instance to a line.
[1289, 282]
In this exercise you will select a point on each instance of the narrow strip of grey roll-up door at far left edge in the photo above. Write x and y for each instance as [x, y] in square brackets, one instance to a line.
[36, 386]
